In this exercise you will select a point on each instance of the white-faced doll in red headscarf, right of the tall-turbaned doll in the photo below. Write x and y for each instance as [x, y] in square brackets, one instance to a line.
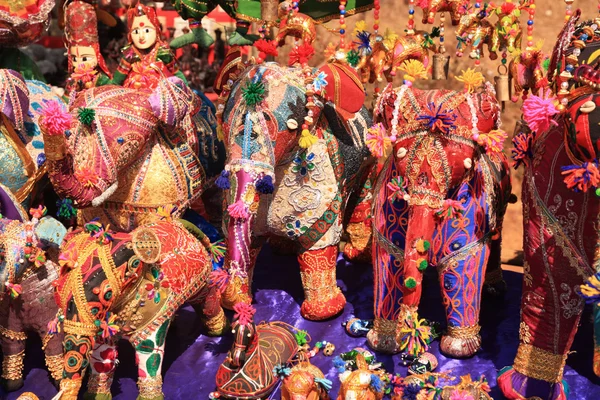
[147, 59]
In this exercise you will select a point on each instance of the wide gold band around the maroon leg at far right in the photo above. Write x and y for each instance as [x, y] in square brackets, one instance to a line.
[539, 364]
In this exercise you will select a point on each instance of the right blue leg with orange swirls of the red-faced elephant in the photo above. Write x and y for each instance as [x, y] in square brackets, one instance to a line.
[461, 283]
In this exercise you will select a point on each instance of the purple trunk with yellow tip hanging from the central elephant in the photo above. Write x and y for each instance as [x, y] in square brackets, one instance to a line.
[243, 204]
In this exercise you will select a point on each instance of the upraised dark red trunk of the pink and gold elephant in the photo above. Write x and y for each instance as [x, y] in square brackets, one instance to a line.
[85, 189]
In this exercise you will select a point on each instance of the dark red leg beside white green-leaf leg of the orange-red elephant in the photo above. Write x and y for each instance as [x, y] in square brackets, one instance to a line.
[103, 362]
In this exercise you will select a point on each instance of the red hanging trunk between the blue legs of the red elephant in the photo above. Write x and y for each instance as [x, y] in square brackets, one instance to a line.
[421, 225]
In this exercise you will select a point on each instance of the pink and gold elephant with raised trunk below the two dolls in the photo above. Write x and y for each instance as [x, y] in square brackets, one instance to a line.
[122, 153]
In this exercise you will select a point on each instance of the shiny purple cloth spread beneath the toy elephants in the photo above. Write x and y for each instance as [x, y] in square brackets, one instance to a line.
[192, 359]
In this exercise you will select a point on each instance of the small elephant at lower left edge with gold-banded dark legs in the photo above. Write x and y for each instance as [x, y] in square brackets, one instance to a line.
[28, 265]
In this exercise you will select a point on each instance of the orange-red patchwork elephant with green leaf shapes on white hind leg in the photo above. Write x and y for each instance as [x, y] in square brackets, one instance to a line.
[129, 285]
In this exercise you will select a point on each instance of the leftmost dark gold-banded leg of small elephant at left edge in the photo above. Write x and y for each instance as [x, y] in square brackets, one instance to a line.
[12, 339]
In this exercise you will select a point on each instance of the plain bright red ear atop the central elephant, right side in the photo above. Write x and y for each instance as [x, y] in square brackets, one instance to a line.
[343, 86]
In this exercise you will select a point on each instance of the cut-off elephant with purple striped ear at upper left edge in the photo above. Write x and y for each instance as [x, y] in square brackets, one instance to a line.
[21, 143]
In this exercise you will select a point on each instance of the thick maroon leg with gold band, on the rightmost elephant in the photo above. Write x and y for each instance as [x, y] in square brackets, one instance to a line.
[550, 313]
